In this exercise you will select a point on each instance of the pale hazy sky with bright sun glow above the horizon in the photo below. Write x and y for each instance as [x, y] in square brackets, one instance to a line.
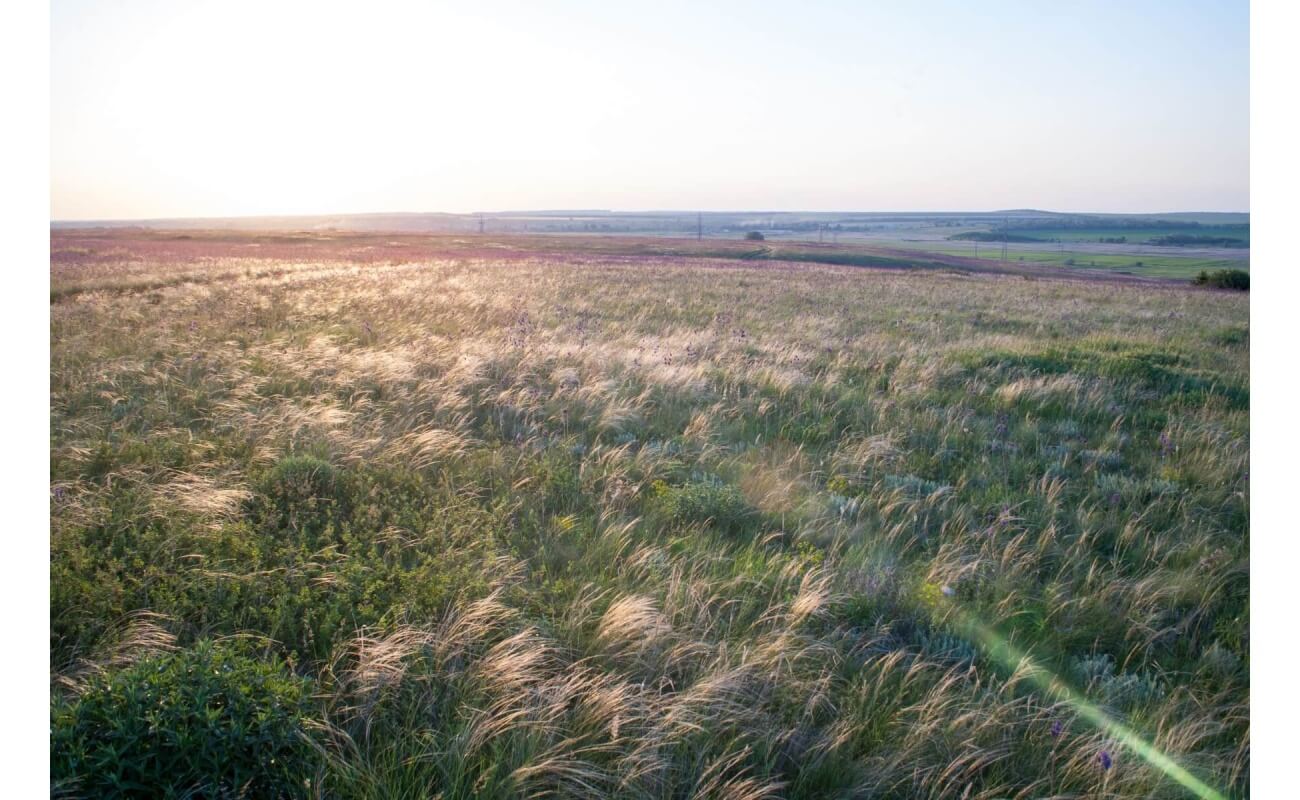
[196, 109]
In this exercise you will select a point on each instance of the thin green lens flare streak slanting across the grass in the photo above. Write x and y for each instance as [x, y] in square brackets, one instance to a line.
[1015, 659]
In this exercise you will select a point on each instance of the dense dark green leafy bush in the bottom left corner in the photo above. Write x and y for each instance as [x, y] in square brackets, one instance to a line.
[210, 723]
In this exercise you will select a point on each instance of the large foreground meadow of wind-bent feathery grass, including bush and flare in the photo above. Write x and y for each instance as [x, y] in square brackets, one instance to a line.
[358, 520]
